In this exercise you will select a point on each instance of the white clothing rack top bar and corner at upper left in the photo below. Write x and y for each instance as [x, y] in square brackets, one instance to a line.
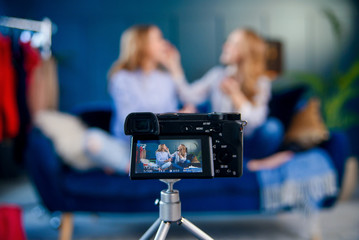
[45, 27]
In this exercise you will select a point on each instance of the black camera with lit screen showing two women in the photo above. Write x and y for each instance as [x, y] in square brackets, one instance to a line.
[202, 145]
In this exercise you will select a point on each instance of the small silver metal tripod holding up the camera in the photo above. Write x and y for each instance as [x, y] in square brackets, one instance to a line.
[170, 212]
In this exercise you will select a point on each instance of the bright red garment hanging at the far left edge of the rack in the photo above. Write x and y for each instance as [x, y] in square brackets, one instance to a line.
[9, 116]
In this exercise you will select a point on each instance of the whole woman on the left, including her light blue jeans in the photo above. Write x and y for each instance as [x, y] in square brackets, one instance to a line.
[137, 83]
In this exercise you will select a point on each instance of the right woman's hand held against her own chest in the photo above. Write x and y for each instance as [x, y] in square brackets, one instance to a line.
[232, 88]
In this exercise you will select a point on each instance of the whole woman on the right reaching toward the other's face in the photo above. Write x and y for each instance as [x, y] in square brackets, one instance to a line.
[240, 85]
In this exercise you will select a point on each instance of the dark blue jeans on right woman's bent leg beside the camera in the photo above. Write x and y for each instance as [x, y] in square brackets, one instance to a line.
[264, 141]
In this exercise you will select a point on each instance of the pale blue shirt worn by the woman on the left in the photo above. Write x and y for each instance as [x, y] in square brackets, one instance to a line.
[135, 91]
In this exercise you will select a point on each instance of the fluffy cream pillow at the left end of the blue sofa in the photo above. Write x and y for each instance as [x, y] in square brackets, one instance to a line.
[67, 133]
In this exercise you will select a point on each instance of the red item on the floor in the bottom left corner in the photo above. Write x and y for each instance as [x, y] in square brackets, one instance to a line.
[11, 227]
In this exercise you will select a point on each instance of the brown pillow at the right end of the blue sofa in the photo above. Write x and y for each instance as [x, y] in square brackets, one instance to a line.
[307, 128]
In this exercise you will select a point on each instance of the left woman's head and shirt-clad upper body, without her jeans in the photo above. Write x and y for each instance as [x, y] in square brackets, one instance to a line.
[136, 80]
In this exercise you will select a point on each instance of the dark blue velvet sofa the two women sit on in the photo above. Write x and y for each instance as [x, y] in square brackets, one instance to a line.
[64, 189]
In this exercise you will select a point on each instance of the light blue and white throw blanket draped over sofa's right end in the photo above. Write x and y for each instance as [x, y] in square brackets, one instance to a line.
[301, 183]
